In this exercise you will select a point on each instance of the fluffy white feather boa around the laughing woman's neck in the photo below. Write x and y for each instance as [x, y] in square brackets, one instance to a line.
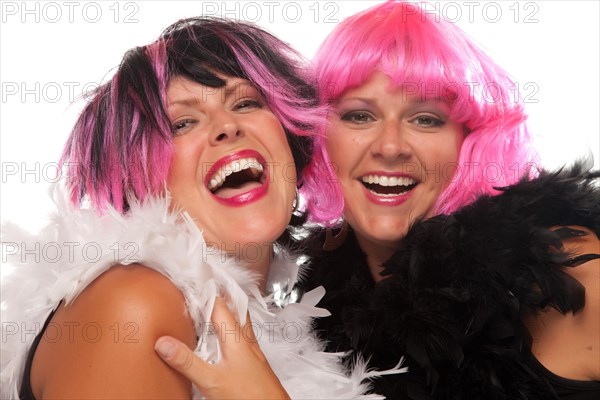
[79, 245]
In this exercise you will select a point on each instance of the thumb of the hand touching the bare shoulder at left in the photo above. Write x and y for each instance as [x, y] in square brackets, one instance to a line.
[179, 357]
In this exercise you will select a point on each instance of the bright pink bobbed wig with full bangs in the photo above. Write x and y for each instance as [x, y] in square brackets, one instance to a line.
[434, 59]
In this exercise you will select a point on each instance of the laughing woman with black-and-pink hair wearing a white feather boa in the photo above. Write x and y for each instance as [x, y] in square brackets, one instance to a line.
[182, 182]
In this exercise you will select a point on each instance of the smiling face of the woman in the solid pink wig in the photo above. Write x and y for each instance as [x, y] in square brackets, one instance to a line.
[393, 155]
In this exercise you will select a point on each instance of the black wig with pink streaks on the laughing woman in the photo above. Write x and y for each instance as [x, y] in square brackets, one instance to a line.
[121, 145]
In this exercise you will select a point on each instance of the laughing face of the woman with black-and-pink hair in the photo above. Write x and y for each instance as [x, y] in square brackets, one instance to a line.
[232, 168]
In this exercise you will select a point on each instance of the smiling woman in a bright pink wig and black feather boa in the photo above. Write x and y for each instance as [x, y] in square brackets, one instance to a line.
[457, 254]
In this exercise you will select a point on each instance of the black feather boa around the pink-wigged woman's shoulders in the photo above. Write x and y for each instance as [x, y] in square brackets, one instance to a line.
[457, 289]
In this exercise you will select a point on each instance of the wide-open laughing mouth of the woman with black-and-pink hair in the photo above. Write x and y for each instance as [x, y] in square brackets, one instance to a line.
[238, 179]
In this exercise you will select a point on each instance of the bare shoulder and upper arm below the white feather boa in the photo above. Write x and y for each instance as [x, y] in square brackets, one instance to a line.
[102, 345]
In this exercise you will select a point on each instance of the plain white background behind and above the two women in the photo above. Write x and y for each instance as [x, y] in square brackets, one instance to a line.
[50, 51]
